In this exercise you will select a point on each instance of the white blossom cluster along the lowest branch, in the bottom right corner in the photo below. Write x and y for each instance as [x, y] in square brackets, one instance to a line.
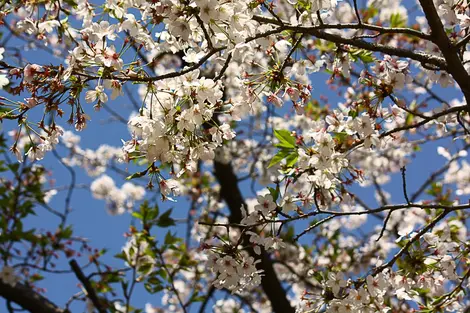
[371, 294]
